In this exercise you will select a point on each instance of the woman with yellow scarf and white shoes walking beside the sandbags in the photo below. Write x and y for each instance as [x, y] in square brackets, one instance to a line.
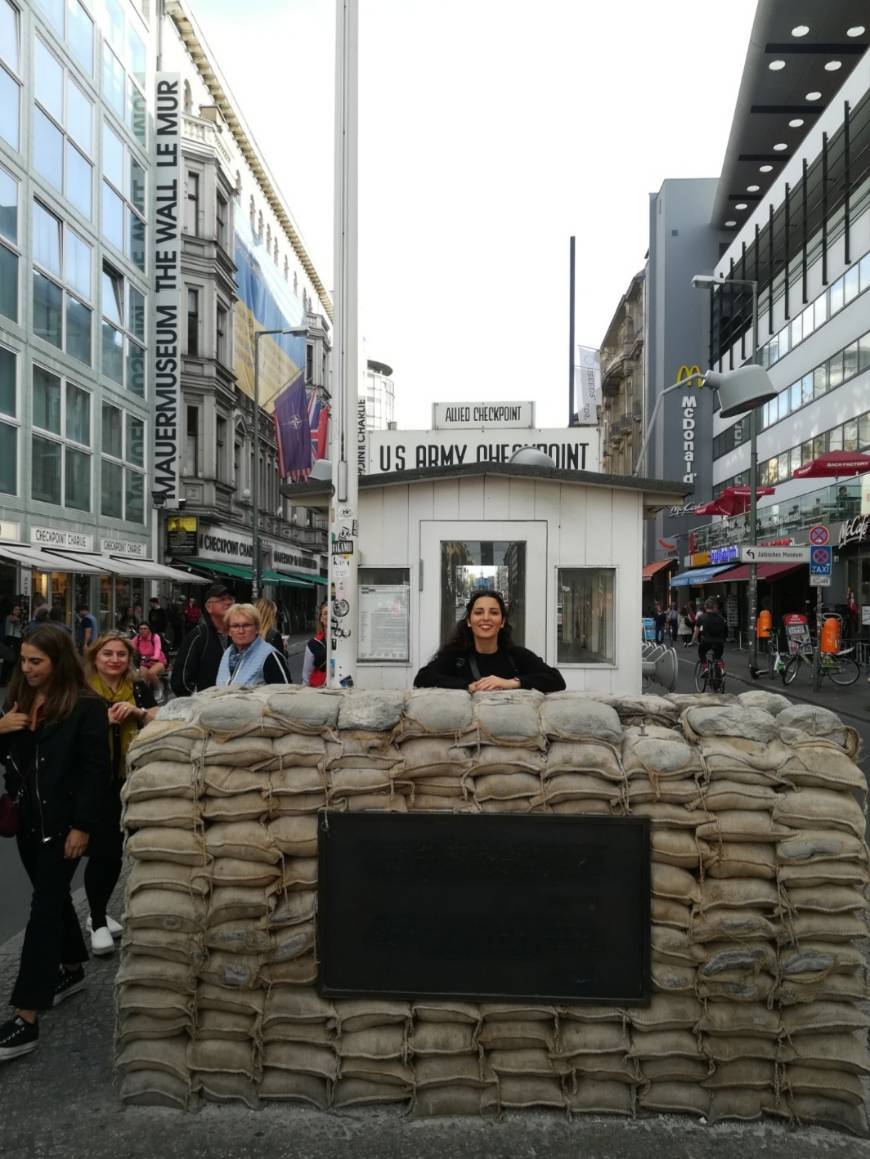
[111, 672]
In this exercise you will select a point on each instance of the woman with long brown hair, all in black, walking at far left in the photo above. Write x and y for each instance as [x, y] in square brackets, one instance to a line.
[55, 748]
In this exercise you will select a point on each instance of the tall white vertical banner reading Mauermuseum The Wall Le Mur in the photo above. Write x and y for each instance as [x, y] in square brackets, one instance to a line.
[167, 285]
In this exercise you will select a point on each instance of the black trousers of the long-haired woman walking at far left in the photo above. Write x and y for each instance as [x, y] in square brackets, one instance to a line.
[53, 934]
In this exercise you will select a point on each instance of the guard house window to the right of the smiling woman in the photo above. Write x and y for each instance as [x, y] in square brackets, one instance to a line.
[586, 623]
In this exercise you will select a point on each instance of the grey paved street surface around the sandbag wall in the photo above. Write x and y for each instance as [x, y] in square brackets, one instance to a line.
[62, 1100]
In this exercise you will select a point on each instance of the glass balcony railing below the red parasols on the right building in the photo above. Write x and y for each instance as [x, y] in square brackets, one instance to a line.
[829, 505]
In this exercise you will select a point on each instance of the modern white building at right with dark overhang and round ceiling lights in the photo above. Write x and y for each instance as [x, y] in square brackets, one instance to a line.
[795, 193]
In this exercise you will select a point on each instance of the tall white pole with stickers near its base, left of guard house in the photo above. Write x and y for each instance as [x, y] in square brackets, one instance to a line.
[343, 514]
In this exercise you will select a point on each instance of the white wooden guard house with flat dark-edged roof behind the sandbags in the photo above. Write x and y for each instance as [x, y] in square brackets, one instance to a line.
[565, 549]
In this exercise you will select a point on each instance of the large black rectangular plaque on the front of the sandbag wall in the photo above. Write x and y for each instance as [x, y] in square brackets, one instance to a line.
[485, 907]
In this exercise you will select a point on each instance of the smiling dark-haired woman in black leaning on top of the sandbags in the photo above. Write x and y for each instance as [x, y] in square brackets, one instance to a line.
[481, 658]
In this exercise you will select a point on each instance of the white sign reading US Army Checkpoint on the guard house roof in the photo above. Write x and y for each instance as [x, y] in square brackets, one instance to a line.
[574, 449]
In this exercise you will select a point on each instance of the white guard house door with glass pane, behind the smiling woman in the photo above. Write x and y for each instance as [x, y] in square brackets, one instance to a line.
[459, 557]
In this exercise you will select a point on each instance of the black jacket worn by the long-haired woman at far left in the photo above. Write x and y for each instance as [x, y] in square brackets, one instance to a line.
[62, 771]
